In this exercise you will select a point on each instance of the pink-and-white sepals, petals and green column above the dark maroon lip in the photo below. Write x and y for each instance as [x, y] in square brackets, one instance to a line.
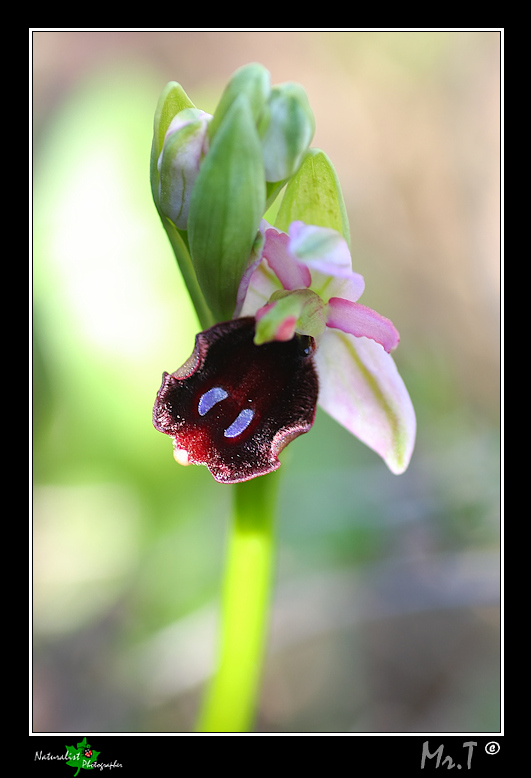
[359, 384]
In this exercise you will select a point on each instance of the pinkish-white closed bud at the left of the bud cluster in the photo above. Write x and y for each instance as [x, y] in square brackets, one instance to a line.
[182, 152]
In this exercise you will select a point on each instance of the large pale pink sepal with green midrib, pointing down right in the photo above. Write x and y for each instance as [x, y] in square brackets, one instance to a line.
[360, 387]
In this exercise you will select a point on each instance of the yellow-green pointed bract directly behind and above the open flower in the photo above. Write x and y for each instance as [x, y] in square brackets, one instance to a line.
[314, 196]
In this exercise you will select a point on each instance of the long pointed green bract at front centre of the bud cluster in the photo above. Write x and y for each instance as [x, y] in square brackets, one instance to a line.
[227, 204]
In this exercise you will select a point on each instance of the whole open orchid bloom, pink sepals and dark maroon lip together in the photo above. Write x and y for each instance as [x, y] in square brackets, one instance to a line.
[298, 336]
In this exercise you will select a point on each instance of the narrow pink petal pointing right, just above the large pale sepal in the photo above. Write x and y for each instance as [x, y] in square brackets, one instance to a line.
[361, 321]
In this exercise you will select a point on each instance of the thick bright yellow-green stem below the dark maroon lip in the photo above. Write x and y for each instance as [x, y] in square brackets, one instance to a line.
[231, 701]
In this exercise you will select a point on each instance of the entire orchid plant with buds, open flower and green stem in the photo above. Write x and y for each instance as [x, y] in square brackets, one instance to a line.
[282, 331]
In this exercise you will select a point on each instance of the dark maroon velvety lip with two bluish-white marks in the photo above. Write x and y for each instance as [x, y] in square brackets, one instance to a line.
[233, 406]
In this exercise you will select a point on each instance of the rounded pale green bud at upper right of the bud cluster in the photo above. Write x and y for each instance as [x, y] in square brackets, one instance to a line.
[286, 130]
